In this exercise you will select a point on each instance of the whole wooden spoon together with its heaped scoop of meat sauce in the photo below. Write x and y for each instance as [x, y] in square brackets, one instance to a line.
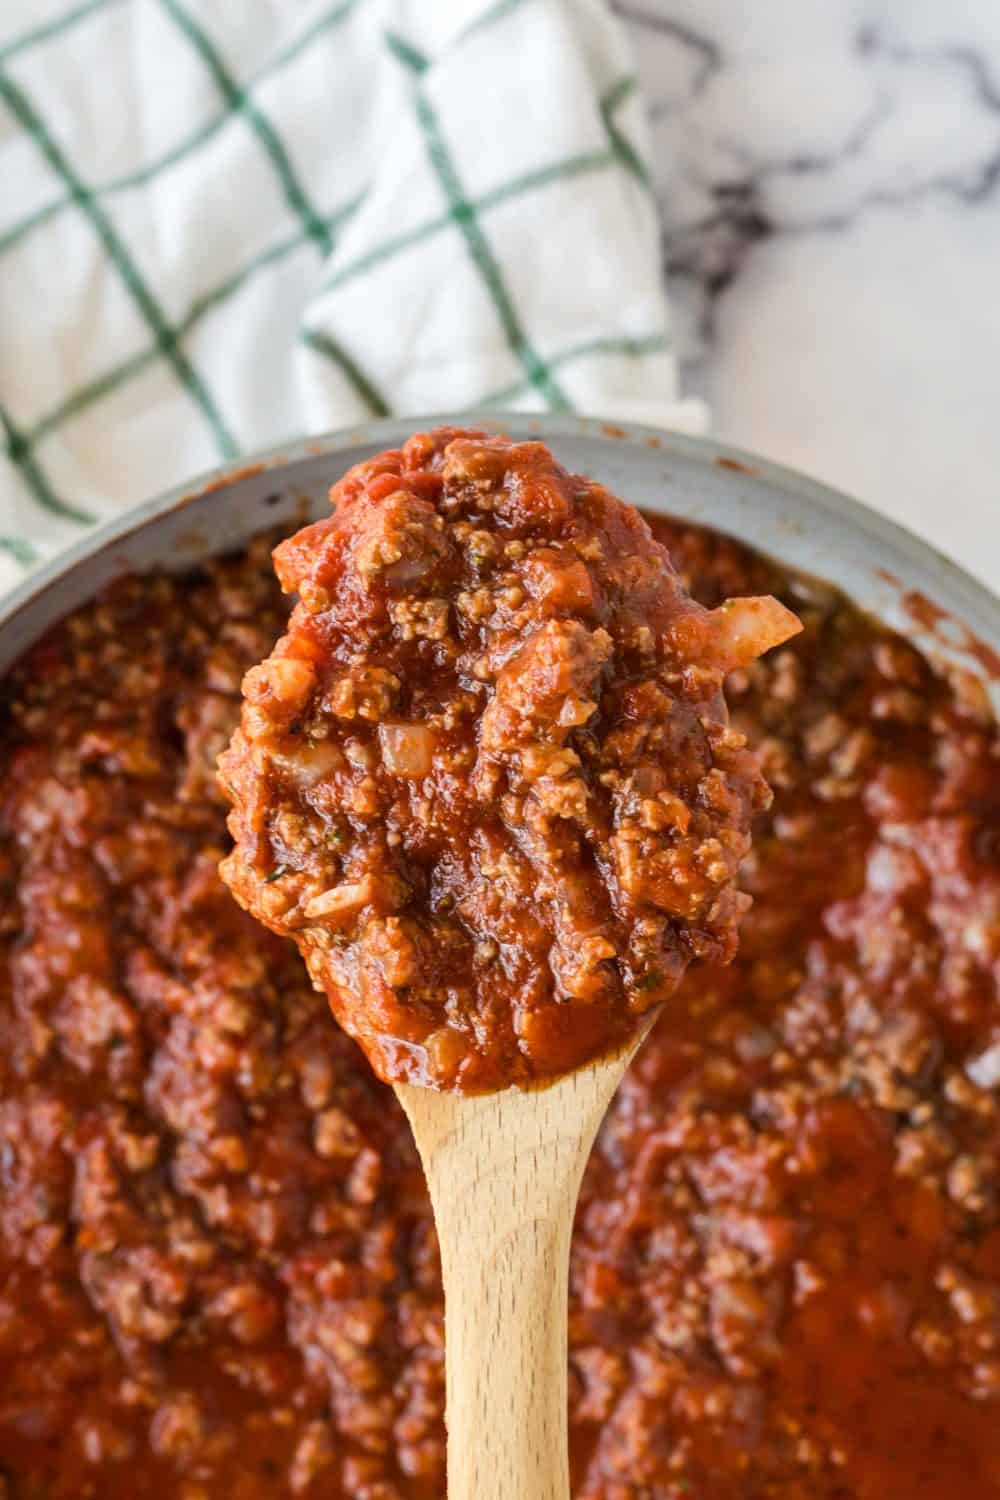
[591, 629]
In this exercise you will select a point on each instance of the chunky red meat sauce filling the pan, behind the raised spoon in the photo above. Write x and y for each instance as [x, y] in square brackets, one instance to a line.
[218, 1267]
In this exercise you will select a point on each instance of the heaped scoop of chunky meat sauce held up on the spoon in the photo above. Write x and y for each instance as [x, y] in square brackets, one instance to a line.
[487, 781]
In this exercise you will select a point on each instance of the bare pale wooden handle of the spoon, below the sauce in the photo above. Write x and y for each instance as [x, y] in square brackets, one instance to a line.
[504, 1172]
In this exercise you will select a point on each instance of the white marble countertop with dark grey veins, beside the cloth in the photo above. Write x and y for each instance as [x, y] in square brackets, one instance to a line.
[830, 175]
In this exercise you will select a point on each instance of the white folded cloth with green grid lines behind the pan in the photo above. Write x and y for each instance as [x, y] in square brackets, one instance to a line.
[229, 224]
